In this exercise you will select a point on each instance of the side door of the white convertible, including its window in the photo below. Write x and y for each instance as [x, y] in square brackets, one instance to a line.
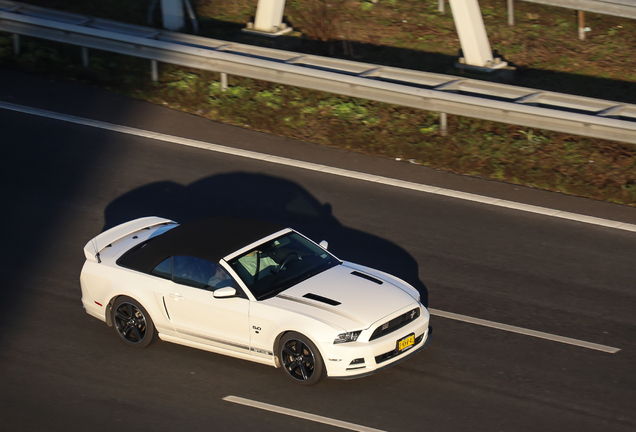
[200, 317]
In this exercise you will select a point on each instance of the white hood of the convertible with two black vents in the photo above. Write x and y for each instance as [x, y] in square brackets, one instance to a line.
[346, 296]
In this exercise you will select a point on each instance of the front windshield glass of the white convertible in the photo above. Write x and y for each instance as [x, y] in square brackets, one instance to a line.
[281, 263]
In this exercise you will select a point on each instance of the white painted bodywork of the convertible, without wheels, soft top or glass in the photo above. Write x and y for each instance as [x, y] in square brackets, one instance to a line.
[248, 328]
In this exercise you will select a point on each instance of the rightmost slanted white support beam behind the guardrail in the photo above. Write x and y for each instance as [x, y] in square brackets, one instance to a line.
[471, 30]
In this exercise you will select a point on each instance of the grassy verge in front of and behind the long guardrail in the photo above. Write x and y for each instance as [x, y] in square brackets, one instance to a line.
[404, 33]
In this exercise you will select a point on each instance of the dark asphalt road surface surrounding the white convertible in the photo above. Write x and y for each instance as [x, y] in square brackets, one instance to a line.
[62, 183]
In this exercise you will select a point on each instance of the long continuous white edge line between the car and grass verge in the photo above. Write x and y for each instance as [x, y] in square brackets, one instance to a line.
[323, 168]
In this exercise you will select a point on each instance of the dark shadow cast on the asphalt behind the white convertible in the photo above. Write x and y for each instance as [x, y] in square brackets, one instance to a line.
[268, 198]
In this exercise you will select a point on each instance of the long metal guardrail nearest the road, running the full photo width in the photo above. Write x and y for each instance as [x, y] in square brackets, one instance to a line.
[432, 92]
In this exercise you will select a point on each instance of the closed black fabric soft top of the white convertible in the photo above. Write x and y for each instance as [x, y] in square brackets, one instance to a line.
[210, 238]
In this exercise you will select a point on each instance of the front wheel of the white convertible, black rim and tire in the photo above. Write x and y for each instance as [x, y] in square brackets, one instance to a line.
[300, 359]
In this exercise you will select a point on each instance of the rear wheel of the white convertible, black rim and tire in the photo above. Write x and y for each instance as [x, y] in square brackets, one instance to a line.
[132, 323]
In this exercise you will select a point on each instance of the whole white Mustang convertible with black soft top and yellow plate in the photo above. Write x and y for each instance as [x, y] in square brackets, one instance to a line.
[252, 290]
